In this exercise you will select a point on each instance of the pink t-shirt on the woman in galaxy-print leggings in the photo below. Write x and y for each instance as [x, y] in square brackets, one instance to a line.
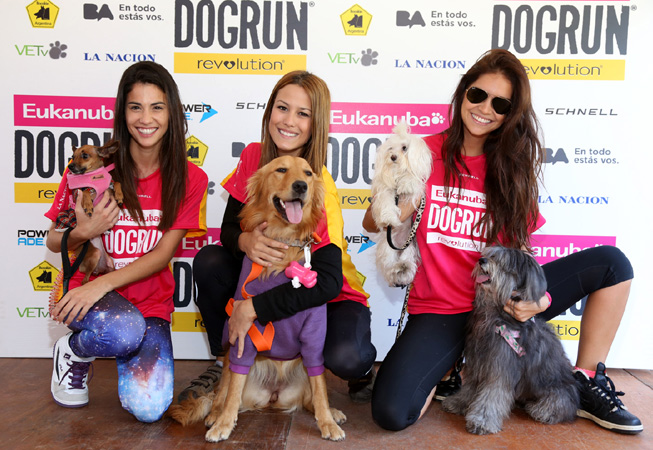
[128, 241]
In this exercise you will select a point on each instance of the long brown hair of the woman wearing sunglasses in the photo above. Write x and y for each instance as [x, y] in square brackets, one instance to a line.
[514, 154]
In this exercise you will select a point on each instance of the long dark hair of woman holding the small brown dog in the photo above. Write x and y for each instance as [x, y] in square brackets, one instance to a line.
[172, 156]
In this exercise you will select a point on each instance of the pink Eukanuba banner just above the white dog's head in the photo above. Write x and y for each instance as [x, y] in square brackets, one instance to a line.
[382, 117]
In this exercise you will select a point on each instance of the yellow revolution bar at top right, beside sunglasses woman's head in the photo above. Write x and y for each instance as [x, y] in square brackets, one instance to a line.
[575, 69]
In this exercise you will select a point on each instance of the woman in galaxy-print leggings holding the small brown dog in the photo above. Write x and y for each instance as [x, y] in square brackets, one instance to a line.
[126, 313]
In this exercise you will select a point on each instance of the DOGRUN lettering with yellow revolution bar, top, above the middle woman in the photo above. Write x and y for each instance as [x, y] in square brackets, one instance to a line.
[241, 25]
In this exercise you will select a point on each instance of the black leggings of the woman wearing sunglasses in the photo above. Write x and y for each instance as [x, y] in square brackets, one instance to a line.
[431, 343]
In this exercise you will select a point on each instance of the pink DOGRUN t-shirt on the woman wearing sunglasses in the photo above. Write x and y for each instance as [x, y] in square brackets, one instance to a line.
[449, 243]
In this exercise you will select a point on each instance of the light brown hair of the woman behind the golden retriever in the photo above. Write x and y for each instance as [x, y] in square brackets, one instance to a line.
[315, 150]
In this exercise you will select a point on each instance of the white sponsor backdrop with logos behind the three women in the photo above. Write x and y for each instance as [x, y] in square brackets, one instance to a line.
[589, 62]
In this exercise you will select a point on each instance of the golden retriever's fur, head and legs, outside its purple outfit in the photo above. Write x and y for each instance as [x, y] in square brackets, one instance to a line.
[288, 196]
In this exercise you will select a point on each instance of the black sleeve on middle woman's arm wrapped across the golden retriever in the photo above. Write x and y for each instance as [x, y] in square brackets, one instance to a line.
[285, 300]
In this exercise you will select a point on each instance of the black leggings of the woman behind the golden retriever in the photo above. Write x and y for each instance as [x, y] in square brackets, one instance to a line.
[348, 349]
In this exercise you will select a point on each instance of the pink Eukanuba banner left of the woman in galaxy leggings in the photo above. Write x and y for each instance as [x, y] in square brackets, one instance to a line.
[55, 111]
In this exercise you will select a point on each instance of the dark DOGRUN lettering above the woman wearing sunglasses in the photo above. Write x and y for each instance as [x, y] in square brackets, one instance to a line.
[561, 29]
